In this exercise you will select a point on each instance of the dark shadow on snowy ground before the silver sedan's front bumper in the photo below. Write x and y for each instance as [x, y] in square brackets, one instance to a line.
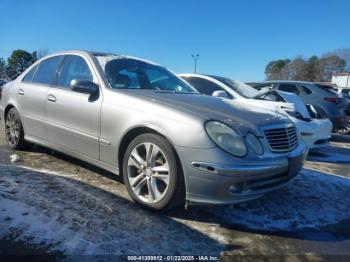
[314, 206]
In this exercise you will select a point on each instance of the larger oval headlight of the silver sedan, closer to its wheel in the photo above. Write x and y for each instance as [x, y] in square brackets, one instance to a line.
[226, 138]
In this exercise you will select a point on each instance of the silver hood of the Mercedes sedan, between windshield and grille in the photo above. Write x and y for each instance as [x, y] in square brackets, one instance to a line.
[234, 113]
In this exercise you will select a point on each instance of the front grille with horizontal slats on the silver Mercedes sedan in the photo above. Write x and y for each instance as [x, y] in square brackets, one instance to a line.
[282, 139]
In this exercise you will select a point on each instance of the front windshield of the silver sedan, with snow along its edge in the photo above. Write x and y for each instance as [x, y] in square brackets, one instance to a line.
[127, 73]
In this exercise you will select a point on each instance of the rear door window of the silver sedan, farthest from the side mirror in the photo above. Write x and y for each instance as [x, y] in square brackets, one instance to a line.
[46, 72]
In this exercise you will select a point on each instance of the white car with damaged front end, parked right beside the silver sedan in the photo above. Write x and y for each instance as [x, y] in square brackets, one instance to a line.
[315, 132]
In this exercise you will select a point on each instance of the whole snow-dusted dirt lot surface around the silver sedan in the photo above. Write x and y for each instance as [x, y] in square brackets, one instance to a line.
[54, 205]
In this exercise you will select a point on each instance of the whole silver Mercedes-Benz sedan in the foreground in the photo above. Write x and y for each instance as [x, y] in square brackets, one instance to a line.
[138, 120]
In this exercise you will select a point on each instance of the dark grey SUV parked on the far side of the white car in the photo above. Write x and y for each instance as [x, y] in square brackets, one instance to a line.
[324, 98]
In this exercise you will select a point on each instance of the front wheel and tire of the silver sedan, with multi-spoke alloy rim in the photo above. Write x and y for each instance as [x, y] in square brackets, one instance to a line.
[159, 171]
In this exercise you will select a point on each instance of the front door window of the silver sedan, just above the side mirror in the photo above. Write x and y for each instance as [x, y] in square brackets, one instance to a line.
[73, 67]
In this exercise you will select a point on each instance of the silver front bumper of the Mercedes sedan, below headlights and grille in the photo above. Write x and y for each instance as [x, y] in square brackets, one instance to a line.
[208, 182]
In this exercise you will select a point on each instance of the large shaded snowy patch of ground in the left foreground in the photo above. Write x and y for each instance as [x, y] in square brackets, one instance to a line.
[67, 215]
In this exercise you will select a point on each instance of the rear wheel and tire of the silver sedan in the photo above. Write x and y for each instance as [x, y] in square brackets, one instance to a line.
[14, 132]
